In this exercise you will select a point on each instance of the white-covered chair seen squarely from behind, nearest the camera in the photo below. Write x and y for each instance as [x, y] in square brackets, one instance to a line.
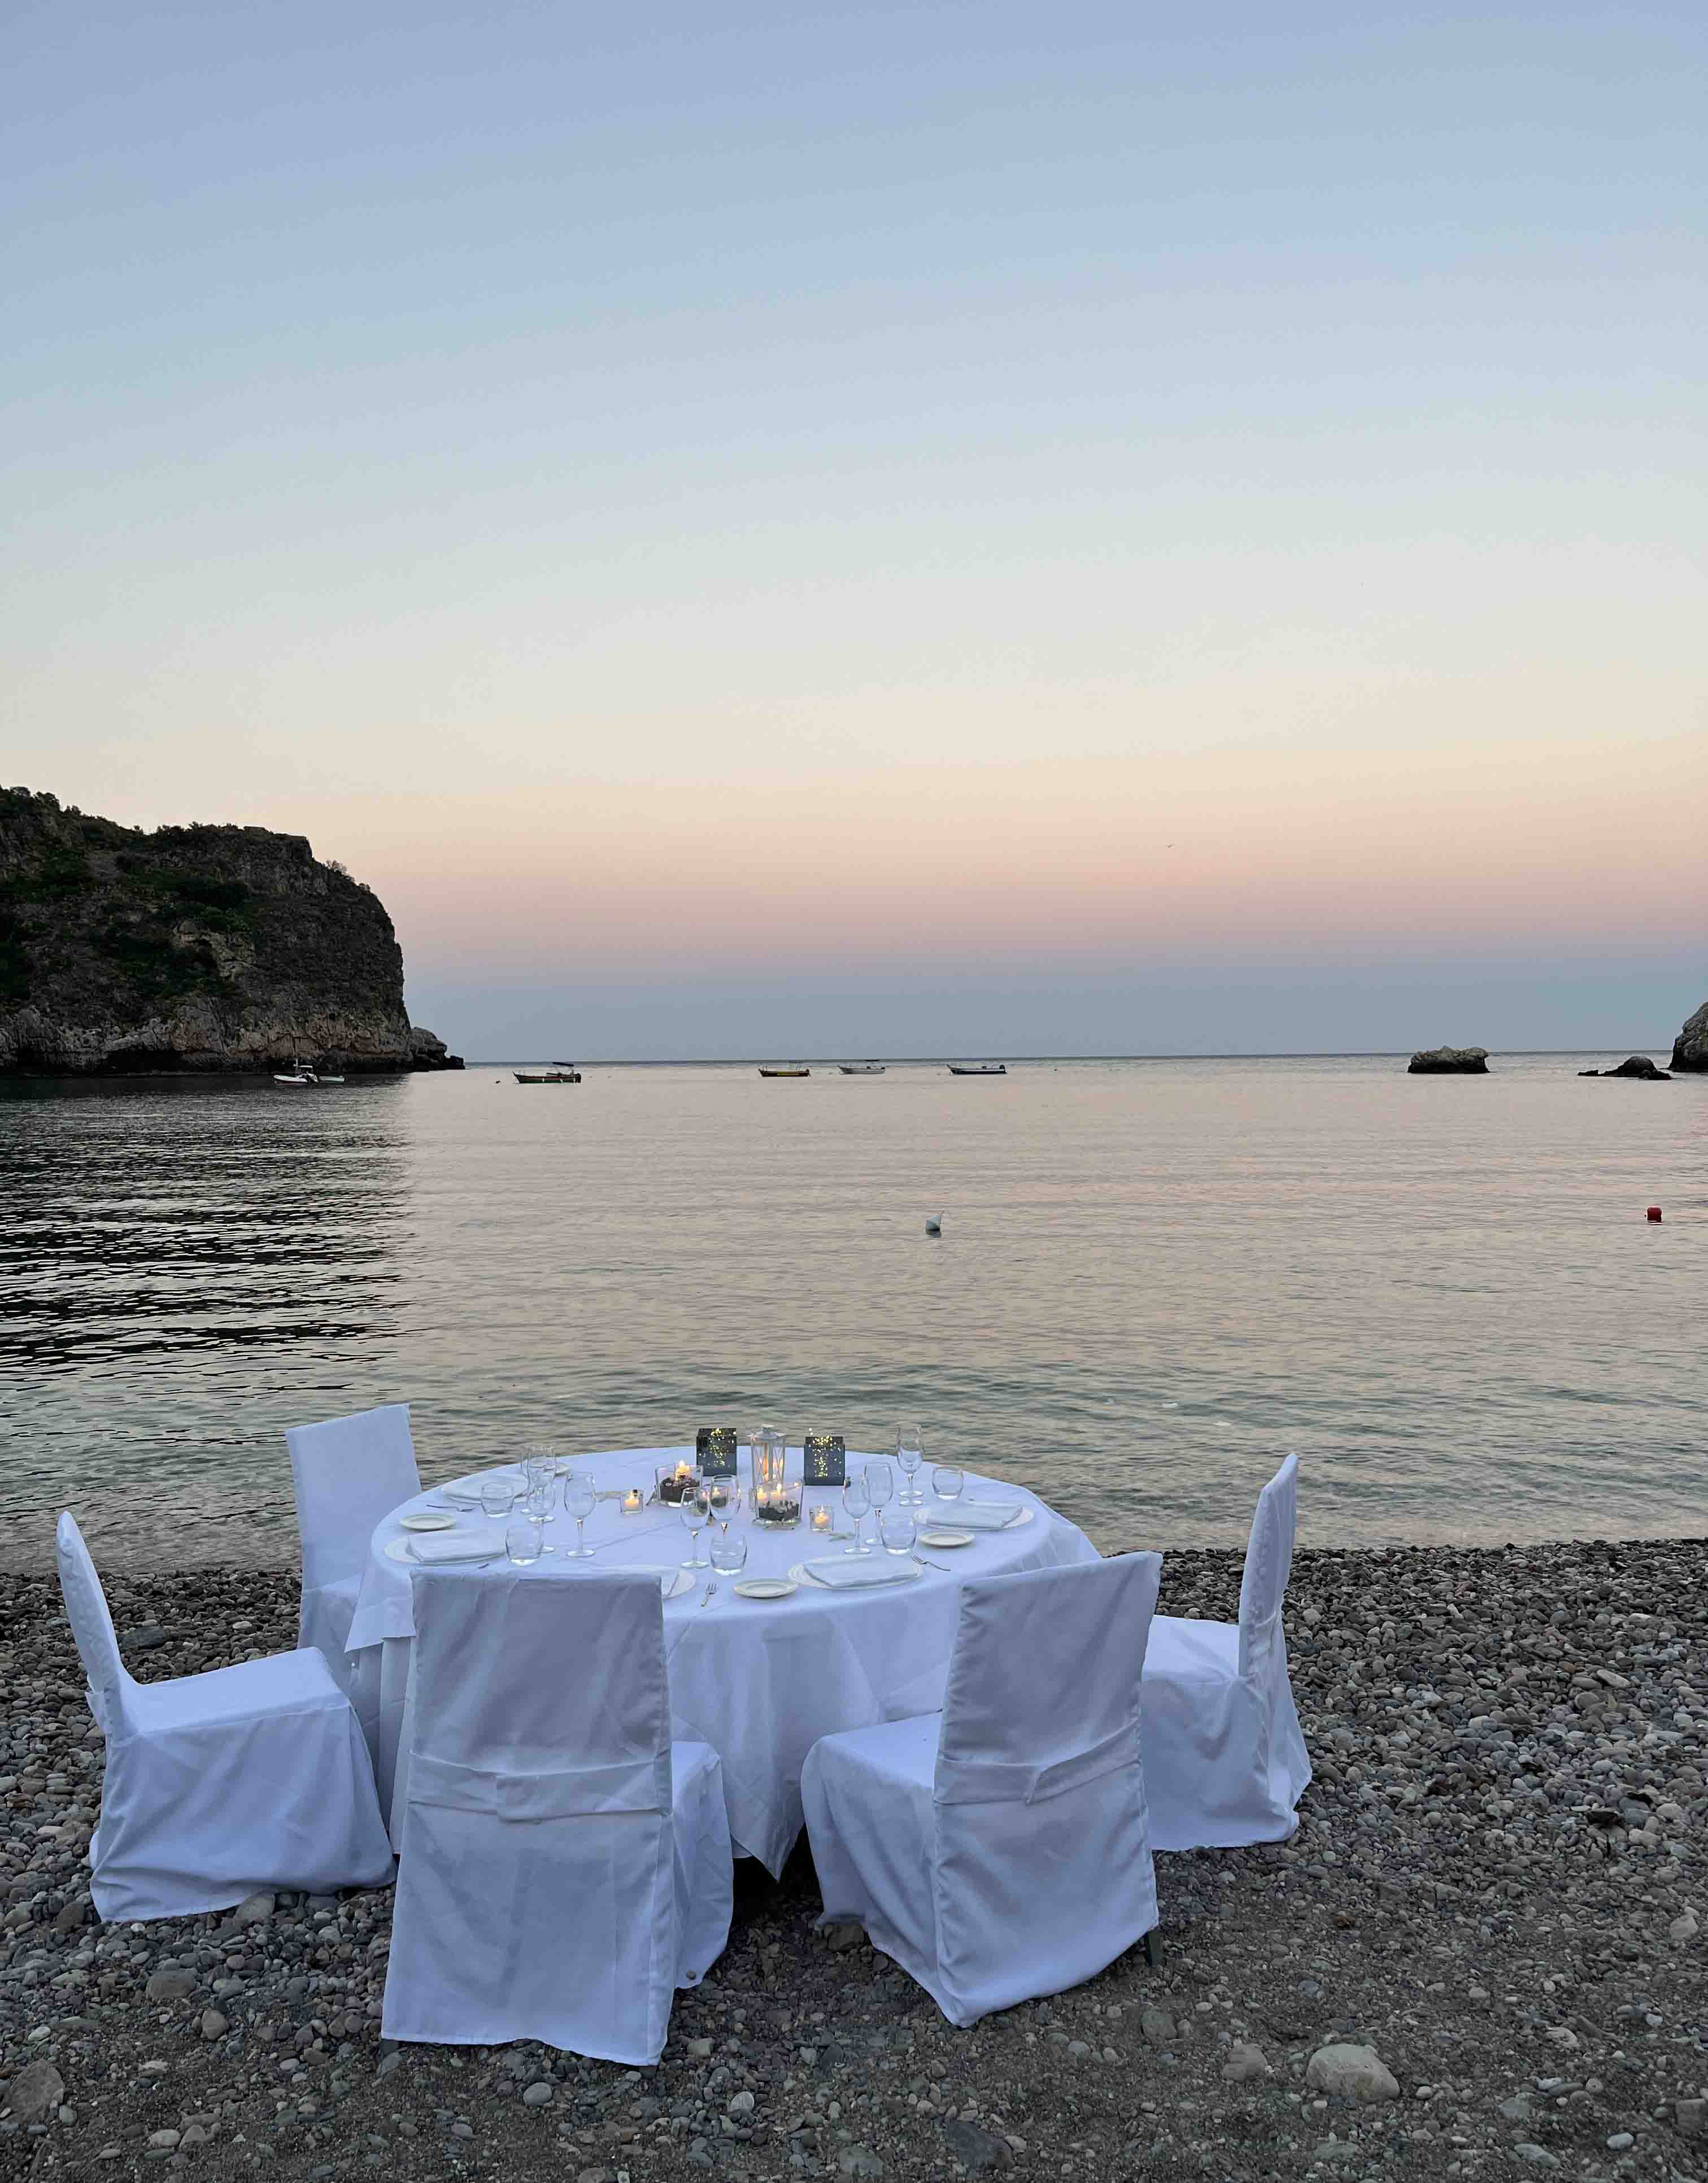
[565, 1868]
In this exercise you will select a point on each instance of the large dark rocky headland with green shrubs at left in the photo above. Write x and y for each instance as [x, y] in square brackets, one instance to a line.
[191, 949]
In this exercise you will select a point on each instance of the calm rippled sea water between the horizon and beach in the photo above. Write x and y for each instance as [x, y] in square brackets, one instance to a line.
[1154, 1280]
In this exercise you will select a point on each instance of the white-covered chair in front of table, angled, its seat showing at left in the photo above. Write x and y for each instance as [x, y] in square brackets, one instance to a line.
[999, 1850]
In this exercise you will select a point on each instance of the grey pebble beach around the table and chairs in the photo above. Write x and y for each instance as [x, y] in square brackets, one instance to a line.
[1480, 1957]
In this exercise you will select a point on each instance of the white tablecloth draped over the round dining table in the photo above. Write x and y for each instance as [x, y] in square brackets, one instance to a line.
[757, 1680]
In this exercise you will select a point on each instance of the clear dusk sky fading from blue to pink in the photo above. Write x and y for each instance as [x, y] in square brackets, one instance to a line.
[897, 529]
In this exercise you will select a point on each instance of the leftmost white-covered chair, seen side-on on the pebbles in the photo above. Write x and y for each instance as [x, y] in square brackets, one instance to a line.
[220, 1785]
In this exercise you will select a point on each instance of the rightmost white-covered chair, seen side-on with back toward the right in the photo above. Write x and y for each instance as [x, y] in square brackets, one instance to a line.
[1224, 1752]
